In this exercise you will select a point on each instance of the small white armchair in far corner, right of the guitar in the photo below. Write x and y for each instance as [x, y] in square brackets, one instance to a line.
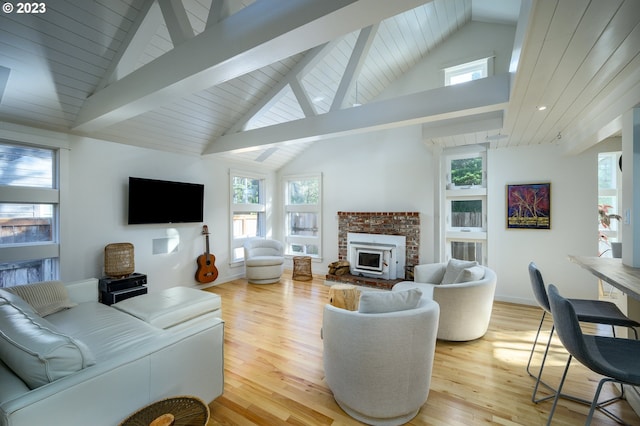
[263, 260]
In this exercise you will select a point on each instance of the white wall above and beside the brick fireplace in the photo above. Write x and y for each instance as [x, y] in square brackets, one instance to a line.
[383, 171]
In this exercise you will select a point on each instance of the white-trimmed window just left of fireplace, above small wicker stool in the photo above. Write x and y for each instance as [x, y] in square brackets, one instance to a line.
[302, 210]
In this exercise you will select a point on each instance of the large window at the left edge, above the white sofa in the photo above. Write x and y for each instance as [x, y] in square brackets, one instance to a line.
[29, 205]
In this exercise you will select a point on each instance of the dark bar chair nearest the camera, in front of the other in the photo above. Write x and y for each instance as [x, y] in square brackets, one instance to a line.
[614, 358]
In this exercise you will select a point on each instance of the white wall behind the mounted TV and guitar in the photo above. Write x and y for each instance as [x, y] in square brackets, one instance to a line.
[95, 213]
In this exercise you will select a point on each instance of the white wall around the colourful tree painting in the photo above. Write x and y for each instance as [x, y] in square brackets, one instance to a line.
[573, 221]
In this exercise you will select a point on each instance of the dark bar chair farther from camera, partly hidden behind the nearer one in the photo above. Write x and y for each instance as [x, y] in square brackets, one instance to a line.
[589, 311]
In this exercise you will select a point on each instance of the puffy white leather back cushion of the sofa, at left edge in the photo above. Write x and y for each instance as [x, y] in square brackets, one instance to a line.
[32, 348]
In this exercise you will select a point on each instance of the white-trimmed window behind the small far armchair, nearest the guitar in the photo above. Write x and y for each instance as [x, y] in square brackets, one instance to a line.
[248, 210]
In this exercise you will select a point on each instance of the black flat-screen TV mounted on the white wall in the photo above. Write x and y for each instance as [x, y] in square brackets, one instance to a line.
[161, 201]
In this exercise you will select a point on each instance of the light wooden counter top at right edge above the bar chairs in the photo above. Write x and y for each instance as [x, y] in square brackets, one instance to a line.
[624, 278]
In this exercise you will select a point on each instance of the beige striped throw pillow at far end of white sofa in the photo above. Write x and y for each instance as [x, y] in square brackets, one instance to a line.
[46, 297]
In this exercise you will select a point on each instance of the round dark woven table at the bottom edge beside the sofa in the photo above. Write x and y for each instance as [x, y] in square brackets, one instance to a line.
[174, 411]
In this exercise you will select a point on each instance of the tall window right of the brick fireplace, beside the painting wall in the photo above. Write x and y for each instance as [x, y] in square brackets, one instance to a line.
[466, 206]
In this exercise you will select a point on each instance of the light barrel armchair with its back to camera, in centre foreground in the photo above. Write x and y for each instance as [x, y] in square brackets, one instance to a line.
[378, 365]
